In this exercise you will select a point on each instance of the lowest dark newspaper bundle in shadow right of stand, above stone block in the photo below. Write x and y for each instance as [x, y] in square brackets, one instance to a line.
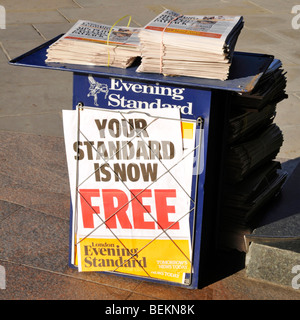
[244, 203]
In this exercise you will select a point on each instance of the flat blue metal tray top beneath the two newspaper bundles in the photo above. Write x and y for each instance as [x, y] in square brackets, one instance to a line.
[245, 70]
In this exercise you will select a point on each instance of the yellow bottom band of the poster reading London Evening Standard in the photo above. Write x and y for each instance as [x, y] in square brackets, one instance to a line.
[161, 259]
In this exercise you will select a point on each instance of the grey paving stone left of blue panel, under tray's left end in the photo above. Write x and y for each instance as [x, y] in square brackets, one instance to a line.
[32, 101]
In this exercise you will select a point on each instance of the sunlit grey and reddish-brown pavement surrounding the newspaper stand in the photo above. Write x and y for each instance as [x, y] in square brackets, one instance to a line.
[34, 190]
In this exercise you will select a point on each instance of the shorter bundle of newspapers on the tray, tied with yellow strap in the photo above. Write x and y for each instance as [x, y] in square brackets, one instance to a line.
[91, 43]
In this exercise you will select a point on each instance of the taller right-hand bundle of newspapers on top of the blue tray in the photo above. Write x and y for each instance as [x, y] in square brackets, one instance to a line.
[197, 46]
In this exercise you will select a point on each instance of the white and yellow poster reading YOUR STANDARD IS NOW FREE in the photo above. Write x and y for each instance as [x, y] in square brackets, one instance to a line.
[130, 177]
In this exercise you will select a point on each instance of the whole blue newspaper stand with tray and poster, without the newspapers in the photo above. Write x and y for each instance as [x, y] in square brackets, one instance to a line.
[146, 160]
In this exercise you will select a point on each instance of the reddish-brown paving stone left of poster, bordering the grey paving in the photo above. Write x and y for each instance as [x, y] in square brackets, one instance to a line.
[44, 185]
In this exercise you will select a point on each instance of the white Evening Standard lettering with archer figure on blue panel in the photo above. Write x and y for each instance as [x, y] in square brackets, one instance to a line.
[116, 92]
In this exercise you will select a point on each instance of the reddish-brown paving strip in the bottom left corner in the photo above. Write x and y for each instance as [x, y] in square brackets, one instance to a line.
[25, 283]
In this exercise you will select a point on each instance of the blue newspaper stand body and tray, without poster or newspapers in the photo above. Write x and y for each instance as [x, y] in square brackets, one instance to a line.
[204, 102]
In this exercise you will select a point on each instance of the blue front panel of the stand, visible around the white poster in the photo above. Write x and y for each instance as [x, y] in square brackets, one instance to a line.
[119, 93]
